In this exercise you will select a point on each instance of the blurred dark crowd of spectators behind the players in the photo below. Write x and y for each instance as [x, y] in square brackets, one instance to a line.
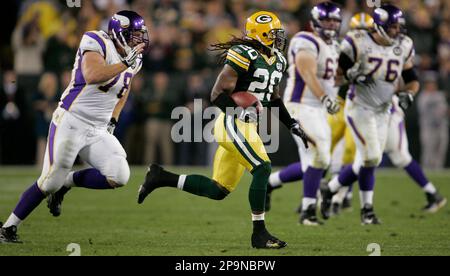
[37, 50]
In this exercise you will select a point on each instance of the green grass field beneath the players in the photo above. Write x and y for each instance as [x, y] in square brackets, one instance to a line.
[171, 222]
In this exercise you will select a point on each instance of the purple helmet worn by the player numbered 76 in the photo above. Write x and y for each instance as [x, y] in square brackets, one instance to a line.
[386, 16]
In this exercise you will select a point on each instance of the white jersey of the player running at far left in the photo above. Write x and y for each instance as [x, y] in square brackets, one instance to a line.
[94, 103]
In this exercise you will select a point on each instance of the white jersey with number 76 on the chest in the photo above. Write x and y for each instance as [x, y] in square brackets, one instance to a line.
[383, 63]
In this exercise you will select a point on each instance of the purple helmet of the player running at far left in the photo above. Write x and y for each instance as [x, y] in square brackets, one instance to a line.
[125, 26]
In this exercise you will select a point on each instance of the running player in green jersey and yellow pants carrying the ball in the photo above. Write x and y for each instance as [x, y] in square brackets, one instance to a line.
[254, 63]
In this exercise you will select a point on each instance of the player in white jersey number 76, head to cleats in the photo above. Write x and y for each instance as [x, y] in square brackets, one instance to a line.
[373, 61]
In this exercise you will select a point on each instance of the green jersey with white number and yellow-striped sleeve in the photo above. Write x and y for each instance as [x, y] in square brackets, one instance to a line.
[258, 74]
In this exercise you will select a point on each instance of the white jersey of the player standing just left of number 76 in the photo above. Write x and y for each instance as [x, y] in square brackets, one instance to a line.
[327, 61]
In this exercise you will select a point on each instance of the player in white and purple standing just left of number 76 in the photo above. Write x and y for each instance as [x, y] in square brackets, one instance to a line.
[311, 93]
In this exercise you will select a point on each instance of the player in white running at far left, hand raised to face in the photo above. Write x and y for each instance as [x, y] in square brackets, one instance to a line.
[104, 66]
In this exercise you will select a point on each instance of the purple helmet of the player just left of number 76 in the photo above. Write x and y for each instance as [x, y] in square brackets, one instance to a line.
[323, 11]
